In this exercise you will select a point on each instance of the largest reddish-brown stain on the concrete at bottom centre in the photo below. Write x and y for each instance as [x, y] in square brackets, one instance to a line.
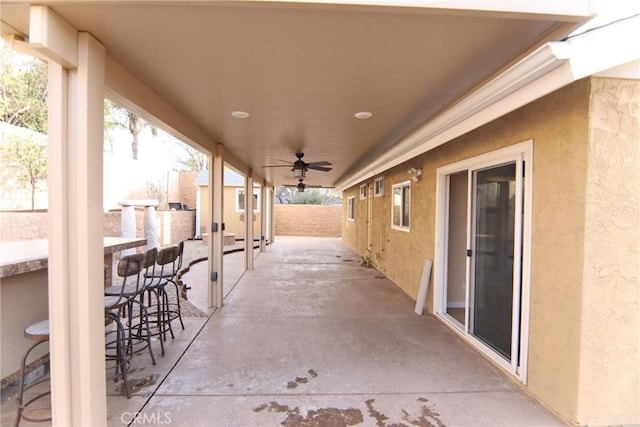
[315, 418]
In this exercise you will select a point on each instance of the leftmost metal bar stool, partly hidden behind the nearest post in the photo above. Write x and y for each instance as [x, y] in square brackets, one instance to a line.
[38, 332]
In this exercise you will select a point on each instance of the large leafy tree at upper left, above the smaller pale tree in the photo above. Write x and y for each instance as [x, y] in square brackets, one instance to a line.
[23, 91]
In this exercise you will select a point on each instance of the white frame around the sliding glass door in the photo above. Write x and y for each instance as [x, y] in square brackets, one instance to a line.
[523, 151]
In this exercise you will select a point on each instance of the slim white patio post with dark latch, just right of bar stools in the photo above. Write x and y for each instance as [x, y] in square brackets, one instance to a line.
[216, 238]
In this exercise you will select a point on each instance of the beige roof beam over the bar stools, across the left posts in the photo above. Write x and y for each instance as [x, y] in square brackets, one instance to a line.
[128, 91]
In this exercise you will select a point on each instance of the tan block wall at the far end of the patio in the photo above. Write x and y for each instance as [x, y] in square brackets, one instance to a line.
[308, 220]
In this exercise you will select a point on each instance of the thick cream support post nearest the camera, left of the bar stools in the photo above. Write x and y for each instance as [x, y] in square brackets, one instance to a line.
[76, 260]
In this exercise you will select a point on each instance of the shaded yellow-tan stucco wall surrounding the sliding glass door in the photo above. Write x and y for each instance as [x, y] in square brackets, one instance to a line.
[559, 126]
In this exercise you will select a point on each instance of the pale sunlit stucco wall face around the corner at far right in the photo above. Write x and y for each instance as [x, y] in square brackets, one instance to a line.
[609, 390]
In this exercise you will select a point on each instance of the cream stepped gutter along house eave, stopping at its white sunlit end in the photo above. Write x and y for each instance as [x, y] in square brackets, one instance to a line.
[519, 85]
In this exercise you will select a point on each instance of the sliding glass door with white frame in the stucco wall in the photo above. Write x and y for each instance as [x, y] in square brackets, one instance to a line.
[484, 212]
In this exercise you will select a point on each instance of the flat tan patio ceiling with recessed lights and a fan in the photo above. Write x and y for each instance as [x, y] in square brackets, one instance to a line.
[302, 70]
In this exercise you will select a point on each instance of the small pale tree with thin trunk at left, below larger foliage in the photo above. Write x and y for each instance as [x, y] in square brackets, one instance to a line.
[27, 159]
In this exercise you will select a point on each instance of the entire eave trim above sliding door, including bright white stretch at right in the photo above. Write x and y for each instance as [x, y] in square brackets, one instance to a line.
[547, 69]
